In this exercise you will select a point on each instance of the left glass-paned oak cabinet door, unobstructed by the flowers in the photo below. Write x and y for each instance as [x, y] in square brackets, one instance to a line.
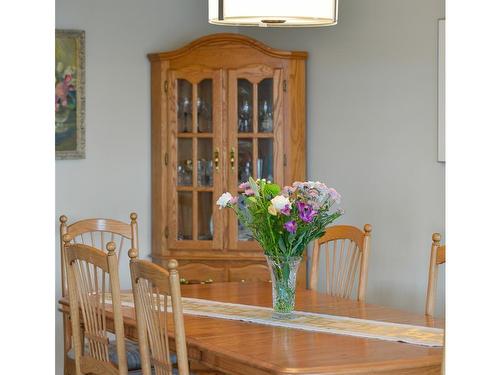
[195, 140]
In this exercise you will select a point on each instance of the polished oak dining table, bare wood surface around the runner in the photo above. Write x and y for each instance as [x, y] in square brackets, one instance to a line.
[235, 347]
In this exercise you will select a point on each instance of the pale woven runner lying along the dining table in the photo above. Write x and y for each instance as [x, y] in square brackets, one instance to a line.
[308, 321]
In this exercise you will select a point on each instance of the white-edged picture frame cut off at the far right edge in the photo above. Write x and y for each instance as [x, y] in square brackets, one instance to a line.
[441, 91]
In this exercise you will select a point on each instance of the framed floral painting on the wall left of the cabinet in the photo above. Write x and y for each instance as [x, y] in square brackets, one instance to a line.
[70, 94]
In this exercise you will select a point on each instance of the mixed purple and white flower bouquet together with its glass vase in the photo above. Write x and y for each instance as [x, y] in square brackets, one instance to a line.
[284, 221]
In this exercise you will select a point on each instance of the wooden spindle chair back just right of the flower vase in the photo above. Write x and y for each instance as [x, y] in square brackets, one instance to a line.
[346, 252]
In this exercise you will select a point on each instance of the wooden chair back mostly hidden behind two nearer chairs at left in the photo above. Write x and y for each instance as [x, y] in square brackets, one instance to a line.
[97, 233]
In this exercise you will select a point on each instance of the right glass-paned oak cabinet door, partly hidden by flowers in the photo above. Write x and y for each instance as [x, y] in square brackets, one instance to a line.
[255, 139]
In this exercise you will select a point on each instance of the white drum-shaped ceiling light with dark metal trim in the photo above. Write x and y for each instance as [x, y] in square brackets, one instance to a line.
[273, 13]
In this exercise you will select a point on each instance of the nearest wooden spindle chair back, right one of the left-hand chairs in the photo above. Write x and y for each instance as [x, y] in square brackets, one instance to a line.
[153, 286]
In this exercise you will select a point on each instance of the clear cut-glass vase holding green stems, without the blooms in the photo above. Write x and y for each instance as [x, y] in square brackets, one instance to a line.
[284, 277]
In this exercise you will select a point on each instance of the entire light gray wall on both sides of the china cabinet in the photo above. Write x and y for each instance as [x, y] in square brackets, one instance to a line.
[371, 122]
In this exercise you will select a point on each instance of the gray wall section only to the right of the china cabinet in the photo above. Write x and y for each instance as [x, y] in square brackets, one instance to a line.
[372, 132]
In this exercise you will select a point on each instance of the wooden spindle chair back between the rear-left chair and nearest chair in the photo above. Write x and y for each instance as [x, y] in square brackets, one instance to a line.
[91, 275]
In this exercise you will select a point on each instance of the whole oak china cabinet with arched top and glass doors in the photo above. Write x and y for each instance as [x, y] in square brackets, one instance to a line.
[224, 107]
